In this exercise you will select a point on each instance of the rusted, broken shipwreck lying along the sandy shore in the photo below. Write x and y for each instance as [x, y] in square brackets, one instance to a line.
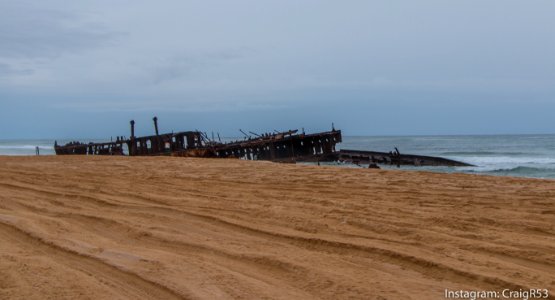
[287, 146]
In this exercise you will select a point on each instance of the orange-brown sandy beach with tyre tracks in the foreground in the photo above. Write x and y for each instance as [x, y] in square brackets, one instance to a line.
[165, 228]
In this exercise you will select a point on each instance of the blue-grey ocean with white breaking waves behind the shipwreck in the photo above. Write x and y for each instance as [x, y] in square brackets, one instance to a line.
[504, 155]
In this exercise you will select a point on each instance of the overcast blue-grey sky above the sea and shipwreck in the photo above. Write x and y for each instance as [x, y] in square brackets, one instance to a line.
[85, 68]
